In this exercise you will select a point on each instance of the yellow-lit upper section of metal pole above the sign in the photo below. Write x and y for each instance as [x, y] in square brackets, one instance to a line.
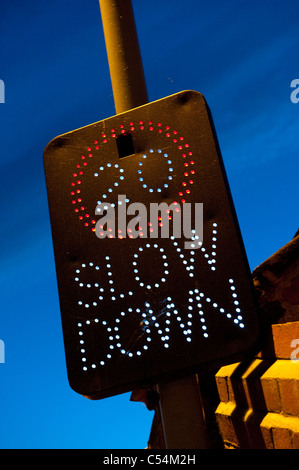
[125, 63]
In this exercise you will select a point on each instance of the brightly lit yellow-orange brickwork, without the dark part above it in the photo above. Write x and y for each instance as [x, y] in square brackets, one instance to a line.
[259, 400]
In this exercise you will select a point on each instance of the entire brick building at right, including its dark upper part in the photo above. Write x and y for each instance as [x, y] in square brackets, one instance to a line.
[259, 399]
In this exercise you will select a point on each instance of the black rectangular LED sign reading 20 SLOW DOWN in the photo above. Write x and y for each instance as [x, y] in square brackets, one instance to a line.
[137, 309]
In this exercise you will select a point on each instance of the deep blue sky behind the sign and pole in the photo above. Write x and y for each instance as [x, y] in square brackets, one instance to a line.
[242, 55]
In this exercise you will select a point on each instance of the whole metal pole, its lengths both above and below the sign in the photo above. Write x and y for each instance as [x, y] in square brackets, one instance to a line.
[180, 401]
